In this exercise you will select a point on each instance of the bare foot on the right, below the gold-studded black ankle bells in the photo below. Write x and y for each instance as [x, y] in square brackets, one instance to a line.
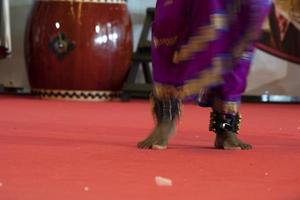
[229, 141]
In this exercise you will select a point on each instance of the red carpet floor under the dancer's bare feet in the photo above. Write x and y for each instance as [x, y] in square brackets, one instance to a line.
[59, 150]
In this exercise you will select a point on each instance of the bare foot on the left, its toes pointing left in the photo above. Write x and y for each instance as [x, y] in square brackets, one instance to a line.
[159, 137]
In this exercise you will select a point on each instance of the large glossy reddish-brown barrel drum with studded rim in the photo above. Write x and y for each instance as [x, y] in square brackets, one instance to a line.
[78, 48]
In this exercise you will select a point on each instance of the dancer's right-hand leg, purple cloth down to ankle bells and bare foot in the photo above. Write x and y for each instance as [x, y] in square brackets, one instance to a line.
[225, 99]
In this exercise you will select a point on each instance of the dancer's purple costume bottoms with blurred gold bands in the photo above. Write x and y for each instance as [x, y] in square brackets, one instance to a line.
[206, 45]
